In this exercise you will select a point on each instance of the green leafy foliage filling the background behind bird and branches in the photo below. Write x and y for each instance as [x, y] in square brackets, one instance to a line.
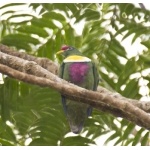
[30, 115]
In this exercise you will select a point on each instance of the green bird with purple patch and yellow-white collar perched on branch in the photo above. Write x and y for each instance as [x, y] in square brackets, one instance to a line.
[81, 71]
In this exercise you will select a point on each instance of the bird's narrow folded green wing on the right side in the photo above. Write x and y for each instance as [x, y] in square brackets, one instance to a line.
[96, 77]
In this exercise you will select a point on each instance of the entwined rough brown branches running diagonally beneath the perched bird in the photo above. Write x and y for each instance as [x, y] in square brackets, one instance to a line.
[104, 100]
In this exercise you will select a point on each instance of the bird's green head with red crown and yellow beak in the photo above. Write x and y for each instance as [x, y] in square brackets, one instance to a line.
[68, 50]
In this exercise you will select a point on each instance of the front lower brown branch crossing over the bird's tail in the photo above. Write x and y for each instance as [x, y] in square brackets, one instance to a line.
[81, 95]
